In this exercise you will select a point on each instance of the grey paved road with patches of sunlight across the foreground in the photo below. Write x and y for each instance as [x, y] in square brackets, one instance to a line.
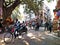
[34, 38]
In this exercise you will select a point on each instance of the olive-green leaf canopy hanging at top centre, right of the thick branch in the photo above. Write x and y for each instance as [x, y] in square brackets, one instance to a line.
[34, 6]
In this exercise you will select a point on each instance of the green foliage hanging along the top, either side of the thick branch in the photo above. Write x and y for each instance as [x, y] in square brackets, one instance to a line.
[31, 5]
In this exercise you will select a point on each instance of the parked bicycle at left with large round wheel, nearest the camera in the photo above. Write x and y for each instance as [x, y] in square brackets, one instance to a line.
[9, 36]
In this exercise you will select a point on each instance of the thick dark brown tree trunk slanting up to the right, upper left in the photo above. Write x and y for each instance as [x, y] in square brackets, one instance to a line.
[7, 11]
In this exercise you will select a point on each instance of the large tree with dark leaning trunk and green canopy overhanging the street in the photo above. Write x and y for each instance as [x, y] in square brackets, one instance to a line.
[10, 5]
